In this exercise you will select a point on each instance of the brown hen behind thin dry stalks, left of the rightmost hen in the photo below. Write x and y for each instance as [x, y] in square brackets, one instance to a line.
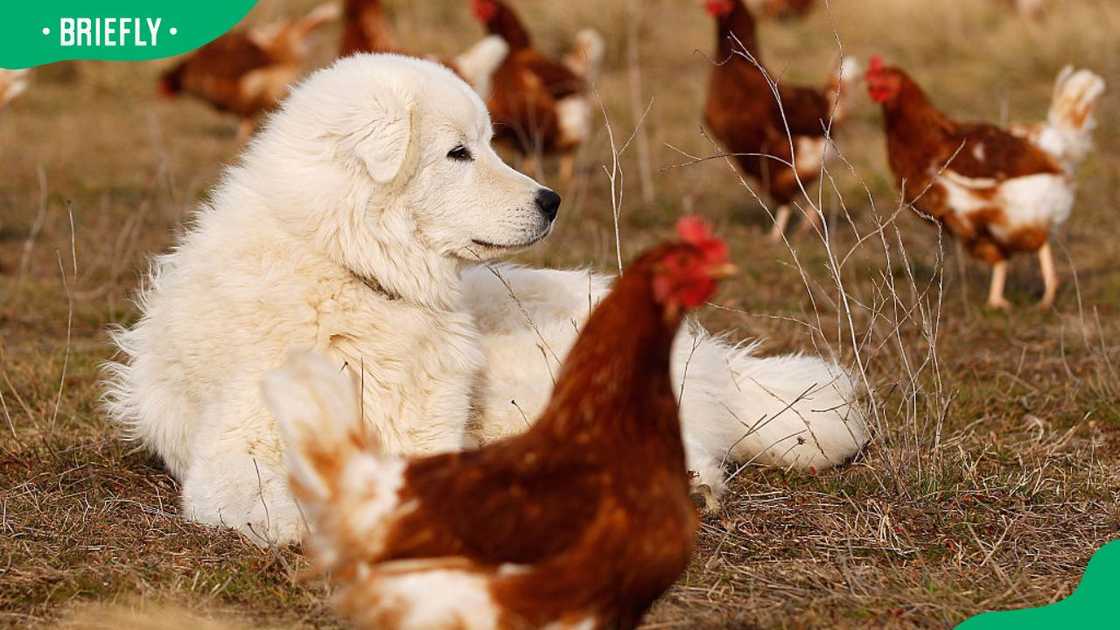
[780, 141]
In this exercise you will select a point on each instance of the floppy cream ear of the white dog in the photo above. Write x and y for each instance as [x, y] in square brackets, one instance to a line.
[388, 144]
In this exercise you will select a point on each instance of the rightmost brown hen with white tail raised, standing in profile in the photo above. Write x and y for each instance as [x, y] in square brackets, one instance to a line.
[997, 192]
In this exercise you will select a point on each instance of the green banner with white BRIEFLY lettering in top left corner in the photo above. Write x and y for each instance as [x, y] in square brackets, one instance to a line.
[41, 33]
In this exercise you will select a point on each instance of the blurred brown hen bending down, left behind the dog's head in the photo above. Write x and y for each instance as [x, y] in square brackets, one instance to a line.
[248, 72]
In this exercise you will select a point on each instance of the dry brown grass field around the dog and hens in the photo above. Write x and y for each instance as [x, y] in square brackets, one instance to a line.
[994, 471]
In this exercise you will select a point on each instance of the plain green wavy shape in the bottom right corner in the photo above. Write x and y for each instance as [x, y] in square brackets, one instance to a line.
[1094, 605]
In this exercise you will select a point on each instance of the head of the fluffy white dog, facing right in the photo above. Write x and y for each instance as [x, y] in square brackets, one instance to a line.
[395, 154]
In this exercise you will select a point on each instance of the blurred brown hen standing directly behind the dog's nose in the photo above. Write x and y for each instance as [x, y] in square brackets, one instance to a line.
[540, 106]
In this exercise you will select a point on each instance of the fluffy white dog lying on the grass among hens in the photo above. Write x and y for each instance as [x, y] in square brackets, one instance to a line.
[354, 226]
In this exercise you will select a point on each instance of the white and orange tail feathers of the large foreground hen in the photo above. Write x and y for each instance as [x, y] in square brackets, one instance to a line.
[346, 488]
